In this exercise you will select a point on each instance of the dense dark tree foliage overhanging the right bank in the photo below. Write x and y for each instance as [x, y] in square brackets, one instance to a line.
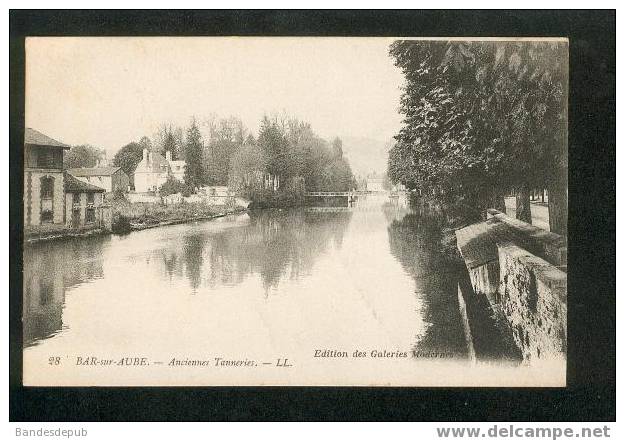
[481, 119]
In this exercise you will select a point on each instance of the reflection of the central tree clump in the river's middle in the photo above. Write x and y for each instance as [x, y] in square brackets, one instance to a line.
[272, 243]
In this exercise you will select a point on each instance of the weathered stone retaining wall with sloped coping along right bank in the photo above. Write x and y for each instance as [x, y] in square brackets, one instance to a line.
[515, 272]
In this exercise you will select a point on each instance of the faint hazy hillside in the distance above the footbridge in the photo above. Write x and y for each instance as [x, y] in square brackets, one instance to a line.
[365, 155]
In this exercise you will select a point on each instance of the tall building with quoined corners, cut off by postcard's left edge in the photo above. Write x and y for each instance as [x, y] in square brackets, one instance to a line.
[43, 180]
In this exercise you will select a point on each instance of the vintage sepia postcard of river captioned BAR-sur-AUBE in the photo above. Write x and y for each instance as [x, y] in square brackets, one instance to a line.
[236, 211]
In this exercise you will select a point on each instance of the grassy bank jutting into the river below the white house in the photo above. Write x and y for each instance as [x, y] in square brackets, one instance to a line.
[128, 216]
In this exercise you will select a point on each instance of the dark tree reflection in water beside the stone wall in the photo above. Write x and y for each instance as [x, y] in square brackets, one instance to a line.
[415, 239]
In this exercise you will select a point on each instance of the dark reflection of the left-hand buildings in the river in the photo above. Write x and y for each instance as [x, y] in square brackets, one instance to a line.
[49, 270]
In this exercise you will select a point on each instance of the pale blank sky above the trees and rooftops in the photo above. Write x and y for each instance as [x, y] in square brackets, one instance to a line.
[108, 92]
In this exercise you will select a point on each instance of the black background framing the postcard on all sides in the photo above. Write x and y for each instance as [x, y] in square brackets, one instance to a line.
[590, 394]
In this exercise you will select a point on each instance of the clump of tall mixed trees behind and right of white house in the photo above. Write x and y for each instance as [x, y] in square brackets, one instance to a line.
[287, 159]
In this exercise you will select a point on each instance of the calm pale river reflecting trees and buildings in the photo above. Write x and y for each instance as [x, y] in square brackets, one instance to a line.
[258, 287]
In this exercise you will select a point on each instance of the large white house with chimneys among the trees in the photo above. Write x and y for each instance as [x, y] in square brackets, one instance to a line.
[154, 169]
